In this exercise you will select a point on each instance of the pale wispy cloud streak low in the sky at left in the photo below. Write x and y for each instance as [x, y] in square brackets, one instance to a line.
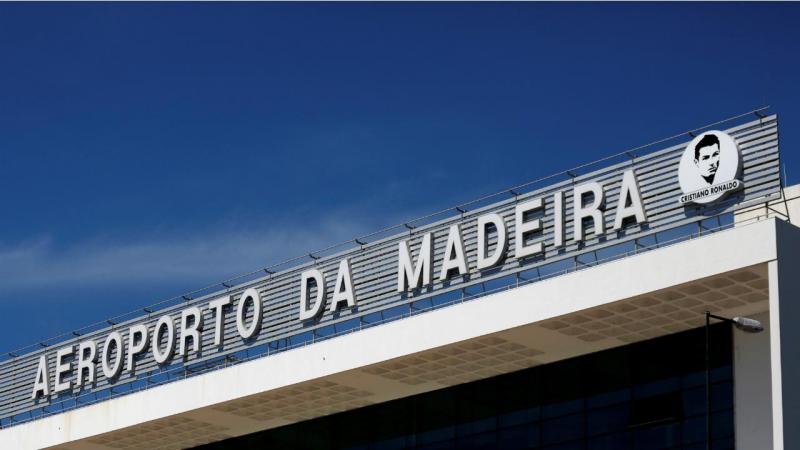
[188, 260]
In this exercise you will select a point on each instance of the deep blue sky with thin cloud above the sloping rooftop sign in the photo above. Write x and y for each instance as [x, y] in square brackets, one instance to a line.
[150, 149]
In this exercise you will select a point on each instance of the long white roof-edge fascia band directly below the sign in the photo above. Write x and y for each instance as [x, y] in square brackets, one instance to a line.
[681, 263]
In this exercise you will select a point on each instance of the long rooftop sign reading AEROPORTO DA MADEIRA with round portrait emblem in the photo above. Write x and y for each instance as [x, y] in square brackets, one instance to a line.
[716, 172]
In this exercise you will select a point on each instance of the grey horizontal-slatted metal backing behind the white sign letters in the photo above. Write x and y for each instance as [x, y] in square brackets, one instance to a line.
[374, 265]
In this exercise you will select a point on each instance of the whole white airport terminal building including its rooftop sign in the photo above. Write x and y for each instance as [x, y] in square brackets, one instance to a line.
[566, 313]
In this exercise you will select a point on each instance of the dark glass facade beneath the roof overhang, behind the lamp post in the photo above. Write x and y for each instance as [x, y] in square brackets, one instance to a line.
[647, 395]
